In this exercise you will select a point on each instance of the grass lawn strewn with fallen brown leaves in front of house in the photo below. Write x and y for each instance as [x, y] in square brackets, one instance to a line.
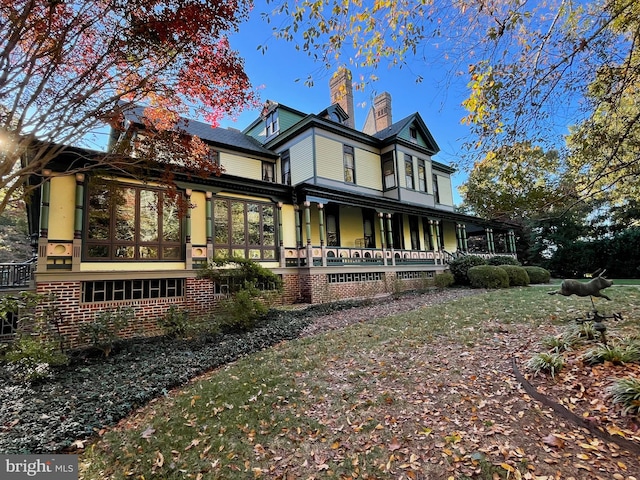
[428, 394]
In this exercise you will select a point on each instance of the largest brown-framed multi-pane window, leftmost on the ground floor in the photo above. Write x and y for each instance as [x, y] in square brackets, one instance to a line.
[128, 222]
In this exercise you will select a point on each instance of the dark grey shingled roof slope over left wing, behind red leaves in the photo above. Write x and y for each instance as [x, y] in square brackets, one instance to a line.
[220, 137]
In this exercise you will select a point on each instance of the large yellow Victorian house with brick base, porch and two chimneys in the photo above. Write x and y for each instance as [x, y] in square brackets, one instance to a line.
[337, 212]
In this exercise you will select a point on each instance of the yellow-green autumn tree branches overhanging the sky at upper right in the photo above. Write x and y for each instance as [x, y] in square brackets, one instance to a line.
[533, 68]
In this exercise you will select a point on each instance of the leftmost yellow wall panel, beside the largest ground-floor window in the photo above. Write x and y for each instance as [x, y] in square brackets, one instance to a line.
[62, 207]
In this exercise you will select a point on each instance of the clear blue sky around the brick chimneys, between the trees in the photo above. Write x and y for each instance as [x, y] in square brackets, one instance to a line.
[437, 98]
